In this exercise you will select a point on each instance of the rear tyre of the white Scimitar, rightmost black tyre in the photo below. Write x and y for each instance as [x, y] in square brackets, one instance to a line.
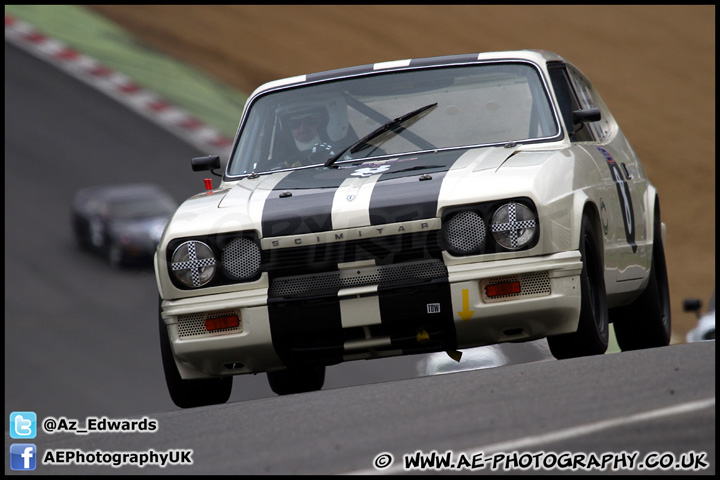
[646, 323]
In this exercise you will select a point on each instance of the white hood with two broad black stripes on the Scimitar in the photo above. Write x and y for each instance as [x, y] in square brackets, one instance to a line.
[375, 192]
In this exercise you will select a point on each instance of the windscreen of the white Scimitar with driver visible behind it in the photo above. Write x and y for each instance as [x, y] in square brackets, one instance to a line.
[472, 105]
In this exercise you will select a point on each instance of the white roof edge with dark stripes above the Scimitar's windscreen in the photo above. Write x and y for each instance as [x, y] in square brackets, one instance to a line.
[536, 56]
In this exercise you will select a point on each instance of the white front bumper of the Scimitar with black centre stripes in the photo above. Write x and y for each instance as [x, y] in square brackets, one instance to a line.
[371, 322]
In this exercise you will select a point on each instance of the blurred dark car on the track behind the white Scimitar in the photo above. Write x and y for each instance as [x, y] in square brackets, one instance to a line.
[122, 222]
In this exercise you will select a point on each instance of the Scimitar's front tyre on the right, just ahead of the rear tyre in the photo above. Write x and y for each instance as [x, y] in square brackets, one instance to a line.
[591, 337]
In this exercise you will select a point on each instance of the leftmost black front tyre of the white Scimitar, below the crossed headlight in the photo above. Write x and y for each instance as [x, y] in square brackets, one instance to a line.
[190, 393]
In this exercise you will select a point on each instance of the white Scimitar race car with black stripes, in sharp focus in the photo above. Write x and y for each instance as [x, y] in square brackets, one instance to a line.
[408, 207]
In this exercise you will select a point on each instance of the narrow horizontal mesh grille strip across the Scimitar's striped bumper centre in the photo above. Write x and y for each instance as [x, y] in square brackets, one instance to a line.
[331, 282]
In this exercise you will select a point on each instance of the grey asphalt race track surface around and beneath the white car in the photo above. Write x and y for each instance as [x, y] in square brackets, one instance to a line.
[81, 338]
